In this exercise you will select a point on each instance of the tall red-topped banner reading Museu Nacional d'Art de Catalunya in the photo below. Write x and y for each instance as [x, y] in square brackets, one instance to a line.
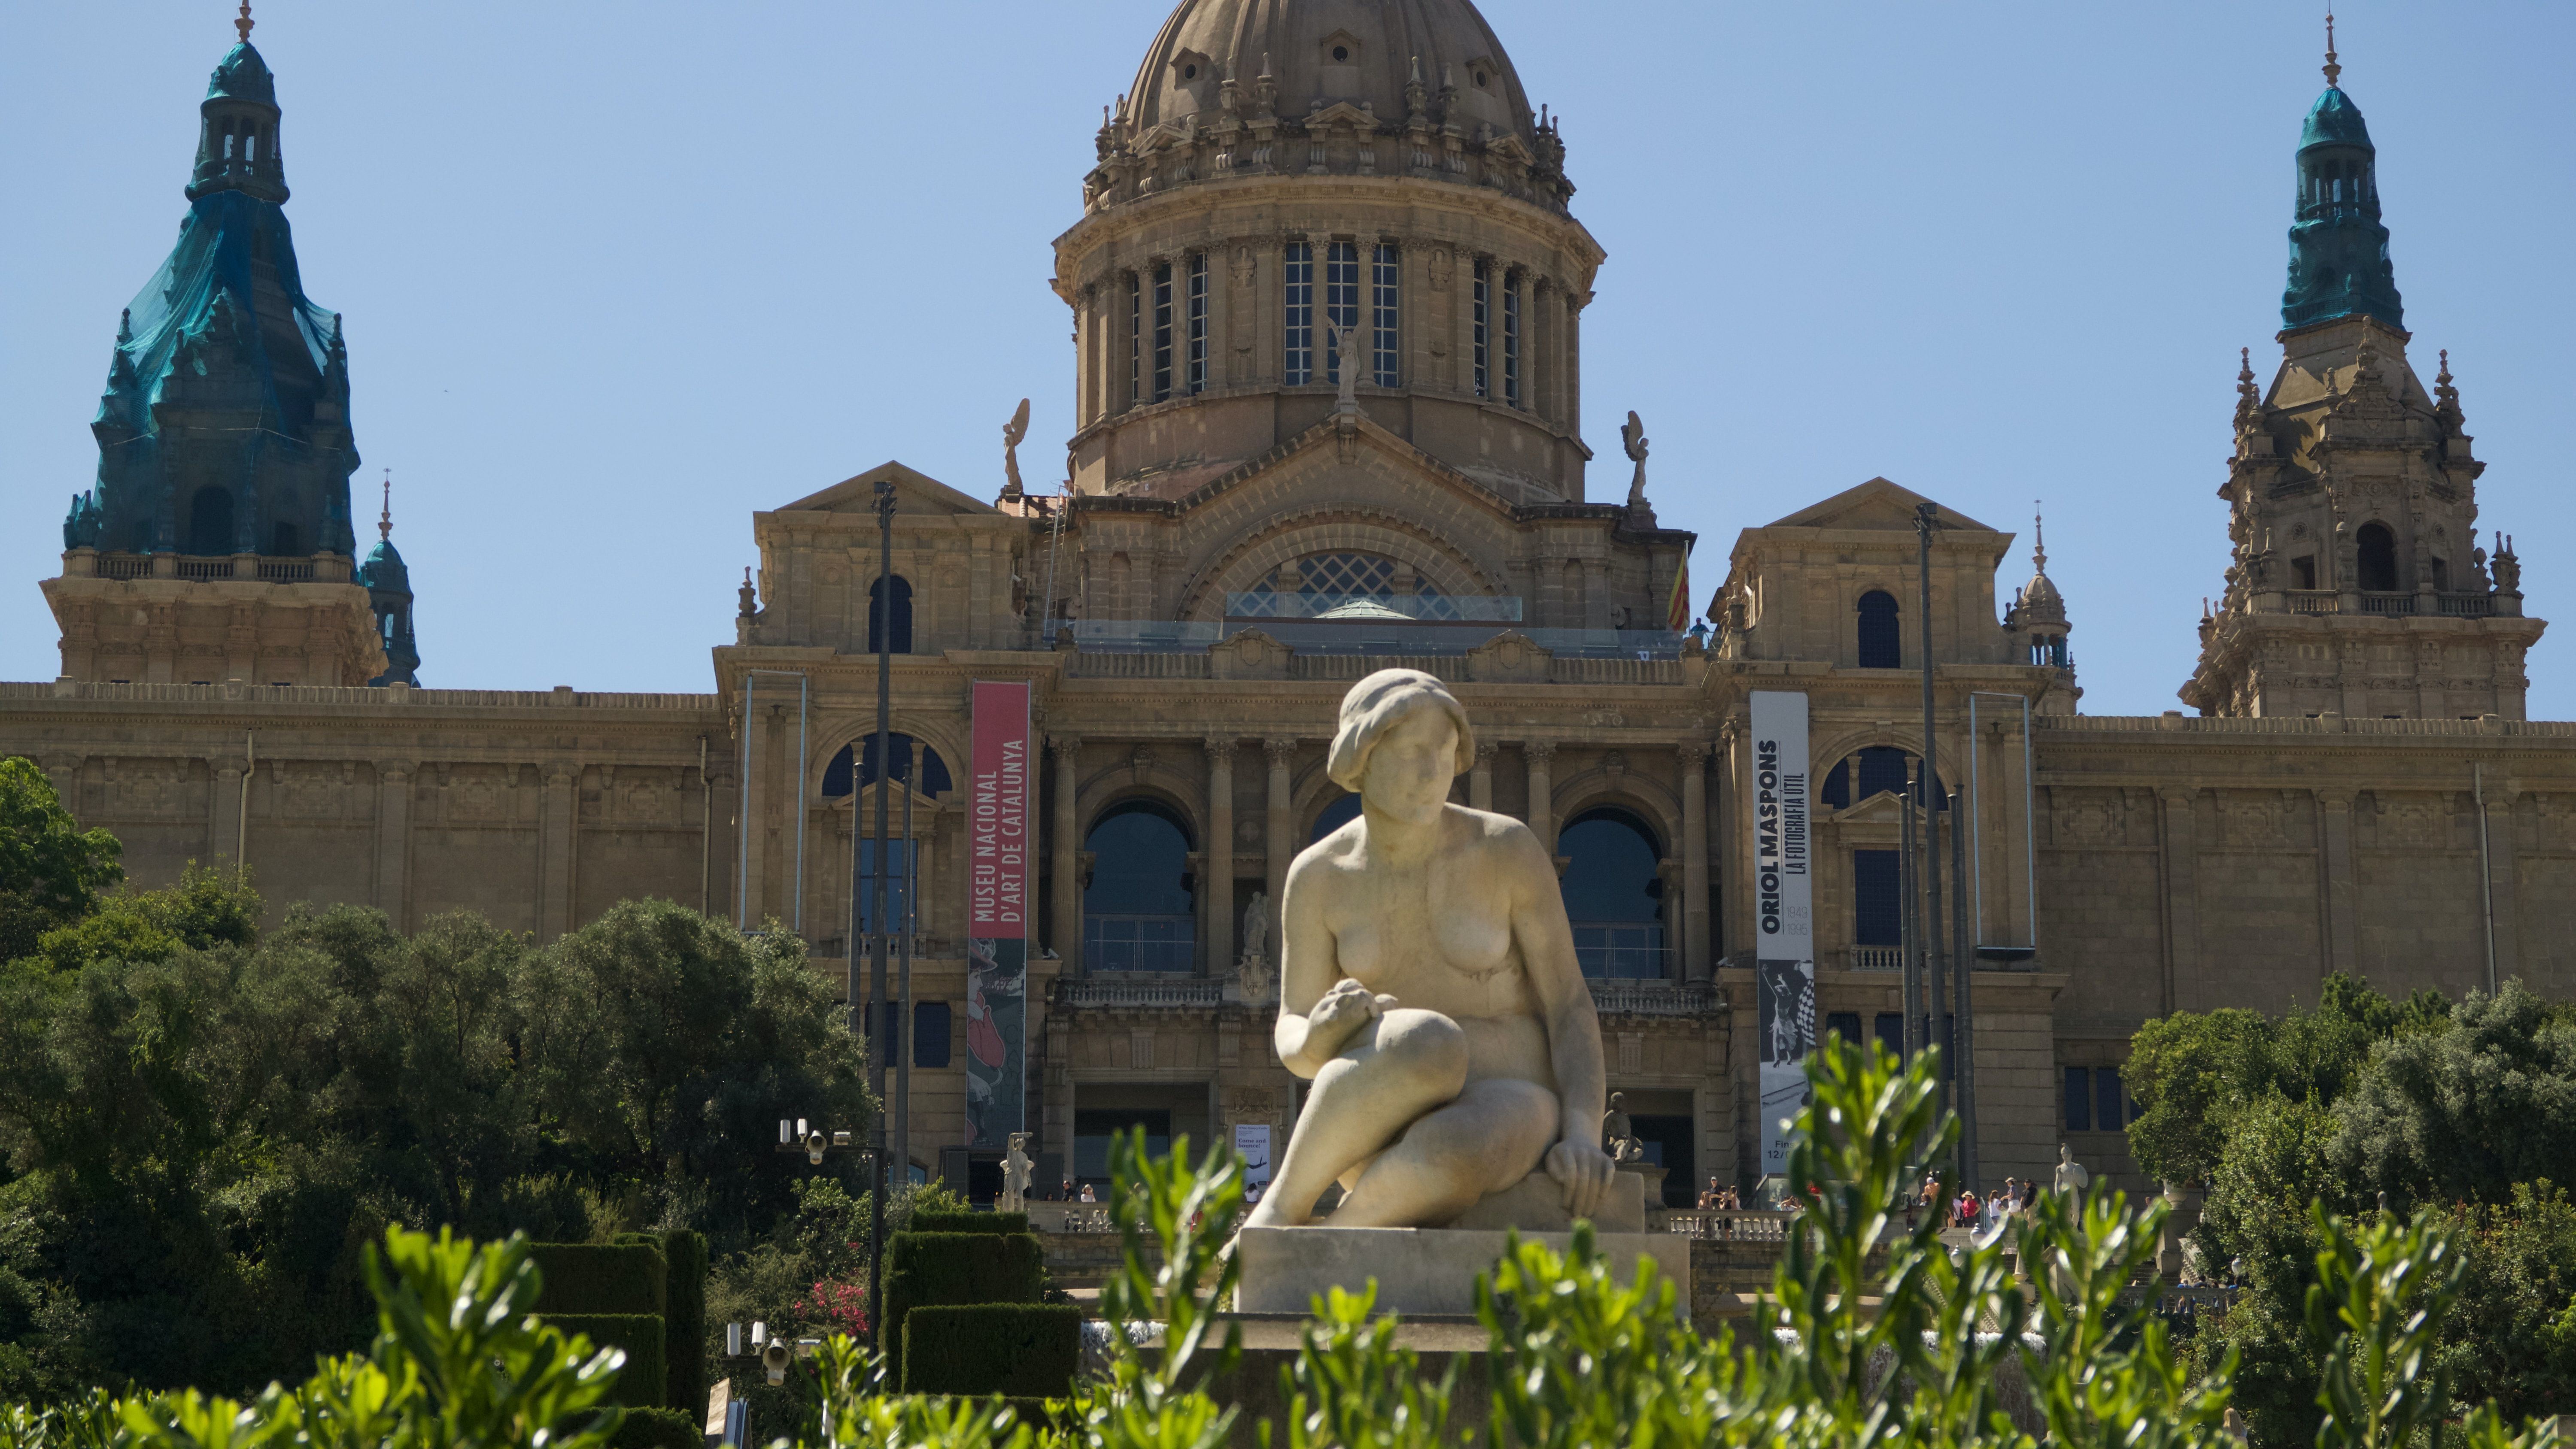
[998, 848]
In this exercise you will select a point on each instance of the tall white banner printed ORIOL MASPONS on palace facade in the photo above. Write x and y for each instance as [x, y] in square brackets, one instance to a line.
[1784, 915]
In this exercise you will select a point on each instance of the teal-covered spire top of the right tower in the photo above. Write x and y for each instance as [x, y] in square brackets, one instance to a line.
[2338, 246]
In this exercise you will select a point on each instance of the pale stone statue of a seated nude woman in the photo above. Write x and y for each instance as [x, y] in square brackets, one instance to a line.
[1428, 987]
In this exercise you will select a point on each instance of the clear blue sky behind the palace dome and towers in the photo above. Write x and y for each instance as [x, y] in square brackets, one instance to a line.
[622, 274]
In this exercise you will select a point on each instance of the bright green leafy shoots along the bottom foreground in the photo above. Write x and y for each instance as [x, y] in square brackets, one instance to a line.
[1580, 1355]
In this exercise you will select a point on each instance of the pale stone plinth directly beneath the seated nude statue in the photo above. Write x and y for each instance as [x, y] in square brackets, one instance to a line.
[1421, 1270]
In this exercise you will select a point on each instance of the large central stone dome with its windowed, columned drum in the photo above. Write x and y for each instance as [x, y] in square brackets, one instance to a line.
[1292, 174]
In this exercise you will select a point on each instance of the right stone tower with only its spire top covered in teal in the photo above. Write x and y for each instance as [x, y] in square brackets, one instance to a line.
[2358, 586]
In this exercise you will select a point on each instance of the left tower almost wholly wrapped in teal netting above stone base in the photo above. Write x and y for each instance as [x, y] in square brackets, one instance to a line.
[215, 542]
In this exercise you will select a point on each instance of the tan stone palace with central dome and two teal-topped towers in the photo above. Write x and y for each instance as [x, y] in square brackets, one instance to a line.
[1328, 295]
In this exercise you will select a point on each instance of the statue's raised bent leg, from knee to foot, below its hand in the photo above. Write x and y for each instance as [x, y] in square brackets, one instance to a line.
[1392, 1072]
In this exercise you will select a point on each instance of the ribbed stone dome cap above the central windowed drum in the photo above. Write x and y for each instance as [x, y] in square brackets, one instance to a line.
[1323, 53]
